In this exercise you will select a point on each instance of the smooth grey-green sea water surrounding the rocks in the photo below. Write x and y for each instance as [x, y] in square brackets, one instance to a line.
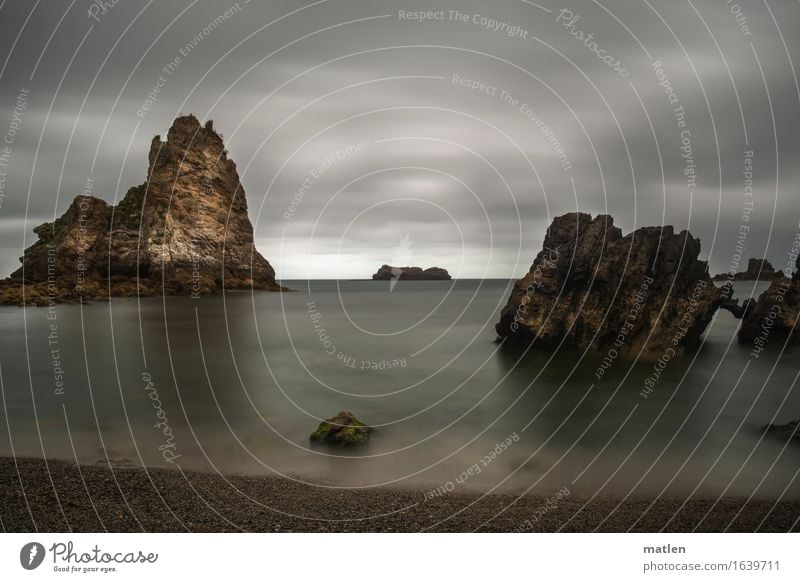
[235, 384]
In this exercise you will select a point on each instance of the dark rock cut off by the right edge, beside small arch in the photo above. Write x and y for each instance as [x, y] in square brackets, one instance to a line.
[774, 317]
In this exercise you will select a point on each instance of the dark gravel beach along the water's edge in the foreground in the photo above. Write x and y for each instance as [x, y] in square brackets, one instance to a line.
[56, 496]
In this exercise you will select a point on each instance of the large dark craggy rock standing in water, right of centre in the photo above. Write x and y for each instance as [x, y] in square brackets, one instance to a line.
[590, 287]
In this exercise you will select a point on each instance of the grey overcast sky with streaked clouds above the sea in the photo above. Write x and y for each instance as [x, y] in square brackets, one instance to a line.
[466, 175]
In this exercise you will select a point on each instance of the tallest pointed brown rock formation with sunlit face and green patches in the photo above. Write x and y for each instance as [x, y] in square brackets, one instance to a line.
[186, 231]
